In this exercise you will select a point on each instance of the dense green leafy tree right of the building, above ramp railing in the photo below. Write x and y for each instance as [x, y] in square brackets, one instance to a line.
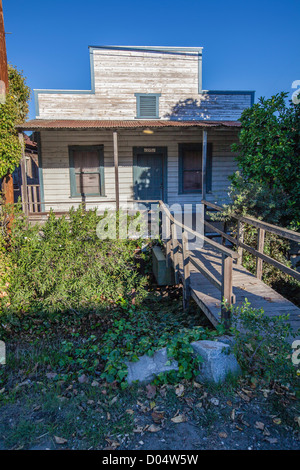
[268, 184]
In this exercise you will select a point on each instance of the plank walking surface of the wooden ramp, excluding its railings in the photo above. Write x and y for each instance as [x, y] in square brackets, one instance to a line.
[244, 286]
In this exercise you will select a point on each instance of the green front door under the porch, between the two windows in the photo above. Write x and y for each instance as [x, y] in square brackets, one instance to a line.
[149, 173]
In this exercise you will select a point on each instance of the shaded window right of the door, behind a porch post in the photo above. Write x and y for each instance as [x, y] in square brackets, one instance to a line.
[190, 168]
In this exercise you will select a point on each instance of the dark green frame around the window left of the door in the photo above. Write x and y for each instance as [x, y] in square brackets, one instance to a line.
[100, 150]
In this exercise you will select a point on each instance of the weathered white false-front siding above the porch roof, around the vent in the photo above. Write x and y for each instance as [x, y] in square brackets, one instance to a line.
[119, 74]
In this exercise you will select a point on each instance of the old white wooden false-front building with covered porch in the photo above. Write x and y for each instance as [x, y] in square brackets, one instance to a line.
[146, 130]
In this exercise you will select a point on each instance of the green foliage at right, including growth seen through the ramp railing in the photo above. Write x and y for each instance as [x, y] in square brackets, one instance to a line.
[267, 185]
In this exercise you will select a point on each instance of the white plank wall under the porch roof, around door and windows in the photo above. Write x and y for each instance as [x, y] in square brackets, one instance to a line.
[55, 163]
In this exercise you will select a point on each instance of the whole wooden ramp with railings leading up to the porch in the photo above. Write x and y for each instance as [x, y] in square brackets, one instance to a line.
[210, 271]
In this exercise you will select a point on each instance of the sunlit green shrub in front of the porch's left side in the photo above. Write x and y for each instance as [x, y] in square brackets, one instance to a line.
[64, 266]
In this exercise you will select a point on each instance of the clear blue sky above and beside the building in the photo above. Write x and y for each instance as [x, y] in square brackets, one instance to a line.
[248, 45]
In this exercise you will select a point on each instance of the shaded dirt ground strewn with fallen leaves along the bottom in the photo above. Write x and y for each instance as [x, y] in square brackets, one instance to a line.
[180, 417]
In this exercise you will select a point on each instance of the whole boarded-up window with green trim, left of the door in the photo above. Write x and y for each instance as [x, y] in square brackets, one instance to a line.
[86, 170]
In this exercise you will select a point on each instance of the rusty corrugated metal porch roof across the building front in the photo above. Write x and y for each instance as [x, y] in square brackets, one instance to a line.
[39, 124]
